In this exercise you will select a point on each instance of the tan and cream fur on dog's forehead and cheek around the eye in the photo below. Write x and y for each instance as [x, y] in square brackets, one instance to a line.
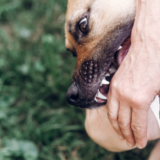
[105, 15]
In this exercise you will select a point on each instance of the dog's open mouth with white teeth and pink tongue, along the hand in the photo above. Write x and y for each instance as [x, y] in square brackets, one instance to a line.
[102, 93]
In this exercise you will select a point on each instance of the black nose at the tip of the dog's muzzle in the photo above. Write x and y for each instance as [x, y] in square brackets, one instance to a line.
[72, 94]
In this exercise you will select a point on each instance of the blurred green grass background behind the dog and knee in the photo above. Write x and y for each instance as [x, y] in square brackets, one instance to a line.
[36, 123]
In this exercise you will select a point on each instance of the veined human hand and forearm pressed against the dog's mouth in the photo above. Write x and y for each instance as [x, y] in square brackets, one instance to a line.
[136, 83]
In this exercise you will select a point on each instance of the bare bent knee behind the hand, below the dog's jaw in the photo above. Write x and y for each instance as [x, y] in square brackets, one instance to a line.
[101, 131]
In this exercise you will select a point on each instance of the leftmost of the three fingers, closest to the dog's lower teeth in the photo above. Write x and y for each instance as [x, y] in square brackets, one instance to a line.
[113, 108]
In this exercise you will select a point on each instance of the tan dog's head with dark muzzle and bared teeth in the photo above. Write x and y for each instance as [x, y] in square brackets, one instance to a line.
[95, 31]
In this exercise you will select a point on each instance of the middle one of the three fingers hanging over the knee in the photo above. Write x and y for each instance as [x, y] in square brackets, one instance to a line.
[124, 120]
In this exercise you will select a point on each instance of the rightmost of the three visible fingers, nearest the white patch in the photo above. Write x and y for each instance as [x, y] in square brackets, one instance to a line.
[139, 126]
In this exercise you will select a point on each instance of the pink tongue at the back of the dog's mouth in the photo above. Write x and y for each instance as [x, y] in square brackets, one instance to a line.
[123, 51]
